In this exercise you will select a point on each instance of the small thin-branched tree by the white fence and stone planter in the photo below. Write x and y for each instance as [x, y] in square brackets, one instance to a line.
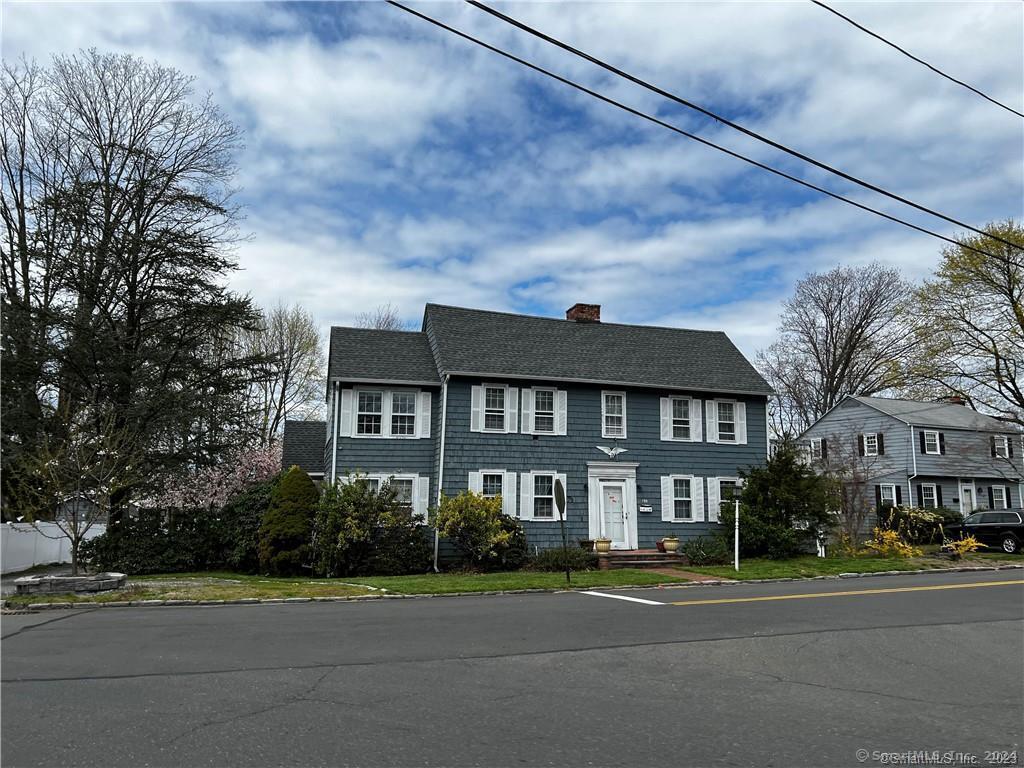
[74, 479]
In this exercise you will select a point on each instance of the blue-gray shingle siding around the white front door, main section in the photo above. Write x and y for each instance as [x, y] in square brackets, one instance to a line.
[466, 451]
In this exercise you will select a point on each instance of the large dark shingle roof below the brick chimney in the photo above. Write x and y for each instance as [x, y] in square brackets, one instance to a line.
[475, 342]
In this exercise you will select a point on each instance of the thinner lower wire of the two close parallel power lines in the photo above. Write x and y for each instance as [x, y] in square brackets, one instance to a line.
[682, 133]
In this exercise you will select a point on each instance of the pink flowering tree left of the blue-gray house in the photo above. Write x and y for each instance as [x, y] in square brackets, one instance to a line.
[214, 487]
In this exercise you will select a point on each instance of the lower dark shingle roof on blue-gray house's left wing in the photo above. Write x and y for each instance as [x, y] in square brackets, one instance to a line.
[359, 354]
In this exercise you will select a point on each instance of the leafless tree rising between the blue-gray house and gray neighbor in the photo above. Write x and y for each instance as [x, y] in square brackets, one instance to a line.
[843, 332]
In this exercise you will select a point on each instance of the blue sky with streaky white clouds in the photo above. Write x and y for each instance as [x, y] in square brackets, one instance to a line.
[387, 161]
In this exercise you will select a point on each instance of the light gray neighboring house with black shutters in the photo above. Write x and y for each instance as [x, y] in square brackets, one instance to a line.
[926, 455]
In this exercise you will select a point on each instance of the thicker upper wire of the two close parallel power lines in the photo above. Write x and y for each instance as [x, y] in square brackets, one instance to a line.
[727, 121]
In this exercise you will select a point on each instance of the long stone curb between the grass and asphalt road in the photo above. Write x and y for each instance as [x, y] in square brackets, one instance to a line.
[390, 596]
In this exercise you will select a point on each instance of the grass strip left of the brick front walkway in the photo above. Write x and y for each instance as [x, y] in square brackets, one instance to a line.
[225, 586]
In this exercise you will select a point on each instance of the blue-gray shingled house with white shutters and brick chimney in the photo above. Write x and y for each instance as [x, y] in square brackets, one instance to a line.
[647, 428]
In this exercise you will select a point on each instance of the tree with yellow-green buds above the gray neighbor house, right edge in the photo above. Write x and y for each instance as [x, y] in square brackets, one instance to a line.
[973, 343]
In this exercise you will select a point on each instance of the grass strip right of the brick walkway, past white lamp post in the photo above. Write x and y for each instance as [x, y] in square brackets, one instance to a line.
[809, 566]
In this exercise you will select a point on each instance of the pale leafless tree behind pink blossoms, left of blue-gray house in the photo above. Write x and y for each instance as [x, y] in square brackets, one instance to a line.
[292, 381]
